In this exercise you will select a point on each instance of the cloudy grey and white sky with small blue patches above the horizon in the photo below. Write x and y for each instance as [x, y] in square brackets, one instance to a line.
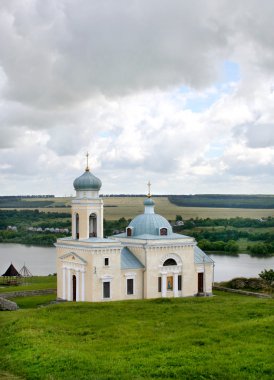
[180, 93]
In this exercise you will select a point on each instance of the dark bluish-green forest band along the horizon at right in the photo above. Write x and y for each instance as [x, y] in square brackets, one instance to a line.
[222, 200]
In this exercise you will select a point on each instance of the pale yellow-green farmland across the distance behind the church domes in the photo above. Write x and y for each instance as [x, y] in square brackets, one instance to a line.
[128, 207]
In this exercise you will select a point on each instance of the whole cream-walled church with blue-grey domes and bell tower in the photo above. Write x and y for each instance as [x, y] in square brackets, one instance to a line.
[148, 260]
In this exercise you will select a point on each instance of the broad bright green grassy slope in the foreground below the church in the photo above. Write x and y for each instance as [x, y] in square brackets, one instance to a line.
[223, 337]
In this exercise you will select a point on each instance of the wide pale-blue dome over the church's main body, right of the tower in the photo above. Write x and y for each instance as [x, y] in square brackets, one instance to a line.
[149, 224]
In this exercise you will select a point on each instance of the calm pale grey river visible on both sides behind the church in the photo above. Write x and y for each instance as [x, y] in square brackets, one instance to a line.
[41, 261]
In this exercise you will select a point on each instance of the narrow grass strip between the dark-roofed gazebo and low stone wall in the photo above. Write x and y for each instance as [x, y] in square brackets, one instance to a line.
[32, 283]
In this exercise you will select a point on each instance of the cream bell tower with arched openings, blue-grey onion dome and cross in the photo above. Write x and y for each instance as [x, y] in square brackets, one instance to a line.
[87, 207]
